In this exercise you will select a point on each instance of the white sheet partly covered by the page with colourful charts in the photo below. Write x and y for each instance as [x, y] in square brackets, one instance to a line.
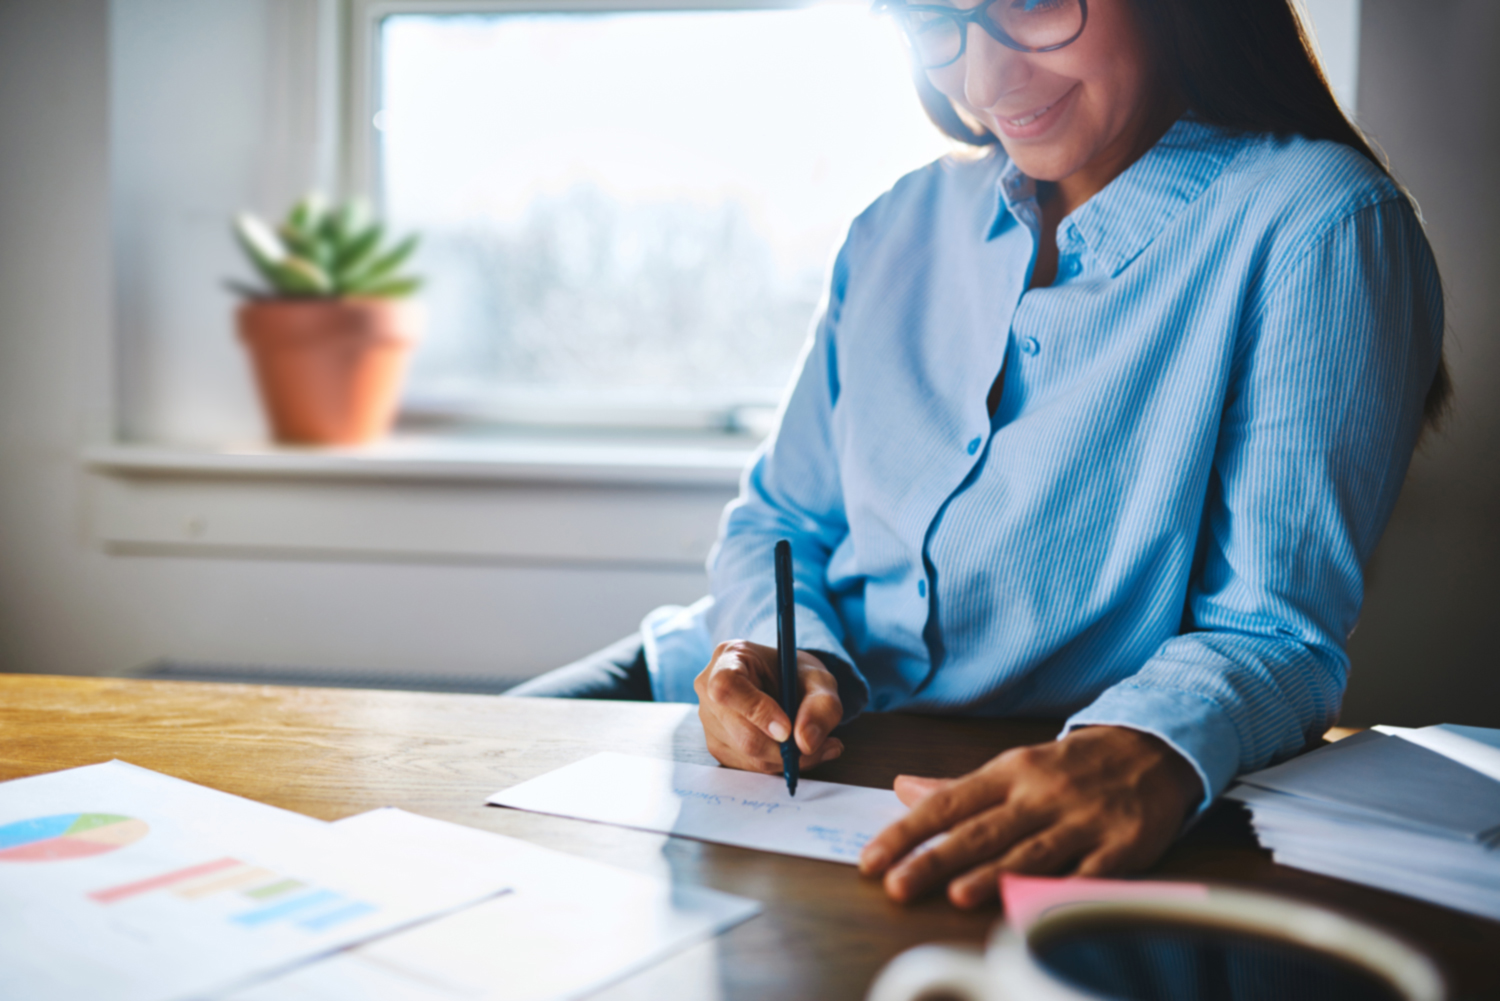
[569, 928]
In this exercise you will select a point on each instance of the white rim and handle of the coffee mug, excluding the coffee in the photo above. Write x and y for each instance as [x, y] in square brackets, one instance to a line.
[1010, 969]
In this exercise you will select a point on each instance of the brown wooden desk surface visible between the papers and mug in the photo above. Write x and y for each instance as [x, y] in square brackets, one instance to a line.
[331, 754]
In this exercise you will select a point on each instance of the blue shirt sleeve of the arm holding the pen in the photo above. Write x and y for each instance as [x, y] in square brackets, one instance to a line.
[793, 491]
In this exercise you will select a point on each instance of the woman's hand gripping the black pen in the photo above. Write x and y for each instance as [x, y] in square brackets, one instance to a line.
[743, 720]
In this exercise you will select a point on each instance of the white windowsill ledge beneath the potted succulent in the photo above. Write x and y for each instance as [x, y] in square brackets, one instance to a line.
[494, 458]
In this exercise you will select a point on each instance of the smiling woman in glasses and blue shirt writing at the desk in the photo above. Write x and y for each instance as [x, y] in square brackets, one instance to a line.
[1102, 424]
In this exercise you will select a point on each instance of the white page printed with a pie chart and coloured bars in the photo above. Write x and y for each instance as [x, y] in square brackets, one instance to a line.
[191, 892]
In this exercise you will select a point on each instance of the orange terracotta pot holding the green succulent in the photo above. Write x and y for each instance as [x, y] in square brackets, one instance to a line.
[329, 370]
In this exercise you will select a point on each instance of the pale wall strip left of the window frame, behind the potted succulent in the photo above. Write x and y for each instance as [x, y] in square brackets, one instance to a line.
[215, 109]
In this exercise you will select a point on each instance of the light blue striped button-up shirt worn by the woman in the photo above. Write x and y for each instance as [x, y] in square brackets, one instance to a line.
[1204, 427]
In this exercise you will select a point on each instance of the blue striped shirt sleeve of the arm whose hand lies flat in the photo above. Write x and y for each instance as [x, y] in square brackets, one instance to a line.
[1324, 412]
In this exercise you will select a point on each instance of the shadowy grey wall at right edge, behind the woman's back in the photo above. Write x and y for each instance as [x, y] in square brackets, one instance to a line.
[1430, 95]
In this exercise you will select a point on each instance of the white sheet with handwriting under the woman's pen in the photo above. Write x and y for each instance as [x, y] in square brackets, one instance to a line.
[826, 820]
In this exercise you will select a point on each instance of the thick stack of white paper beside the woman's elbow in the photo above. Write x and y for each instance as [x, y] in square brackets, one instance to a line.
[1409, 811]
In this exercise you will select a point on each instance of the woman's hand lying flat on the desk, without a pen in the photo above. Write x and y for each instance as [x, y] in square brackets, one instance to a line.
[1099, 802]
